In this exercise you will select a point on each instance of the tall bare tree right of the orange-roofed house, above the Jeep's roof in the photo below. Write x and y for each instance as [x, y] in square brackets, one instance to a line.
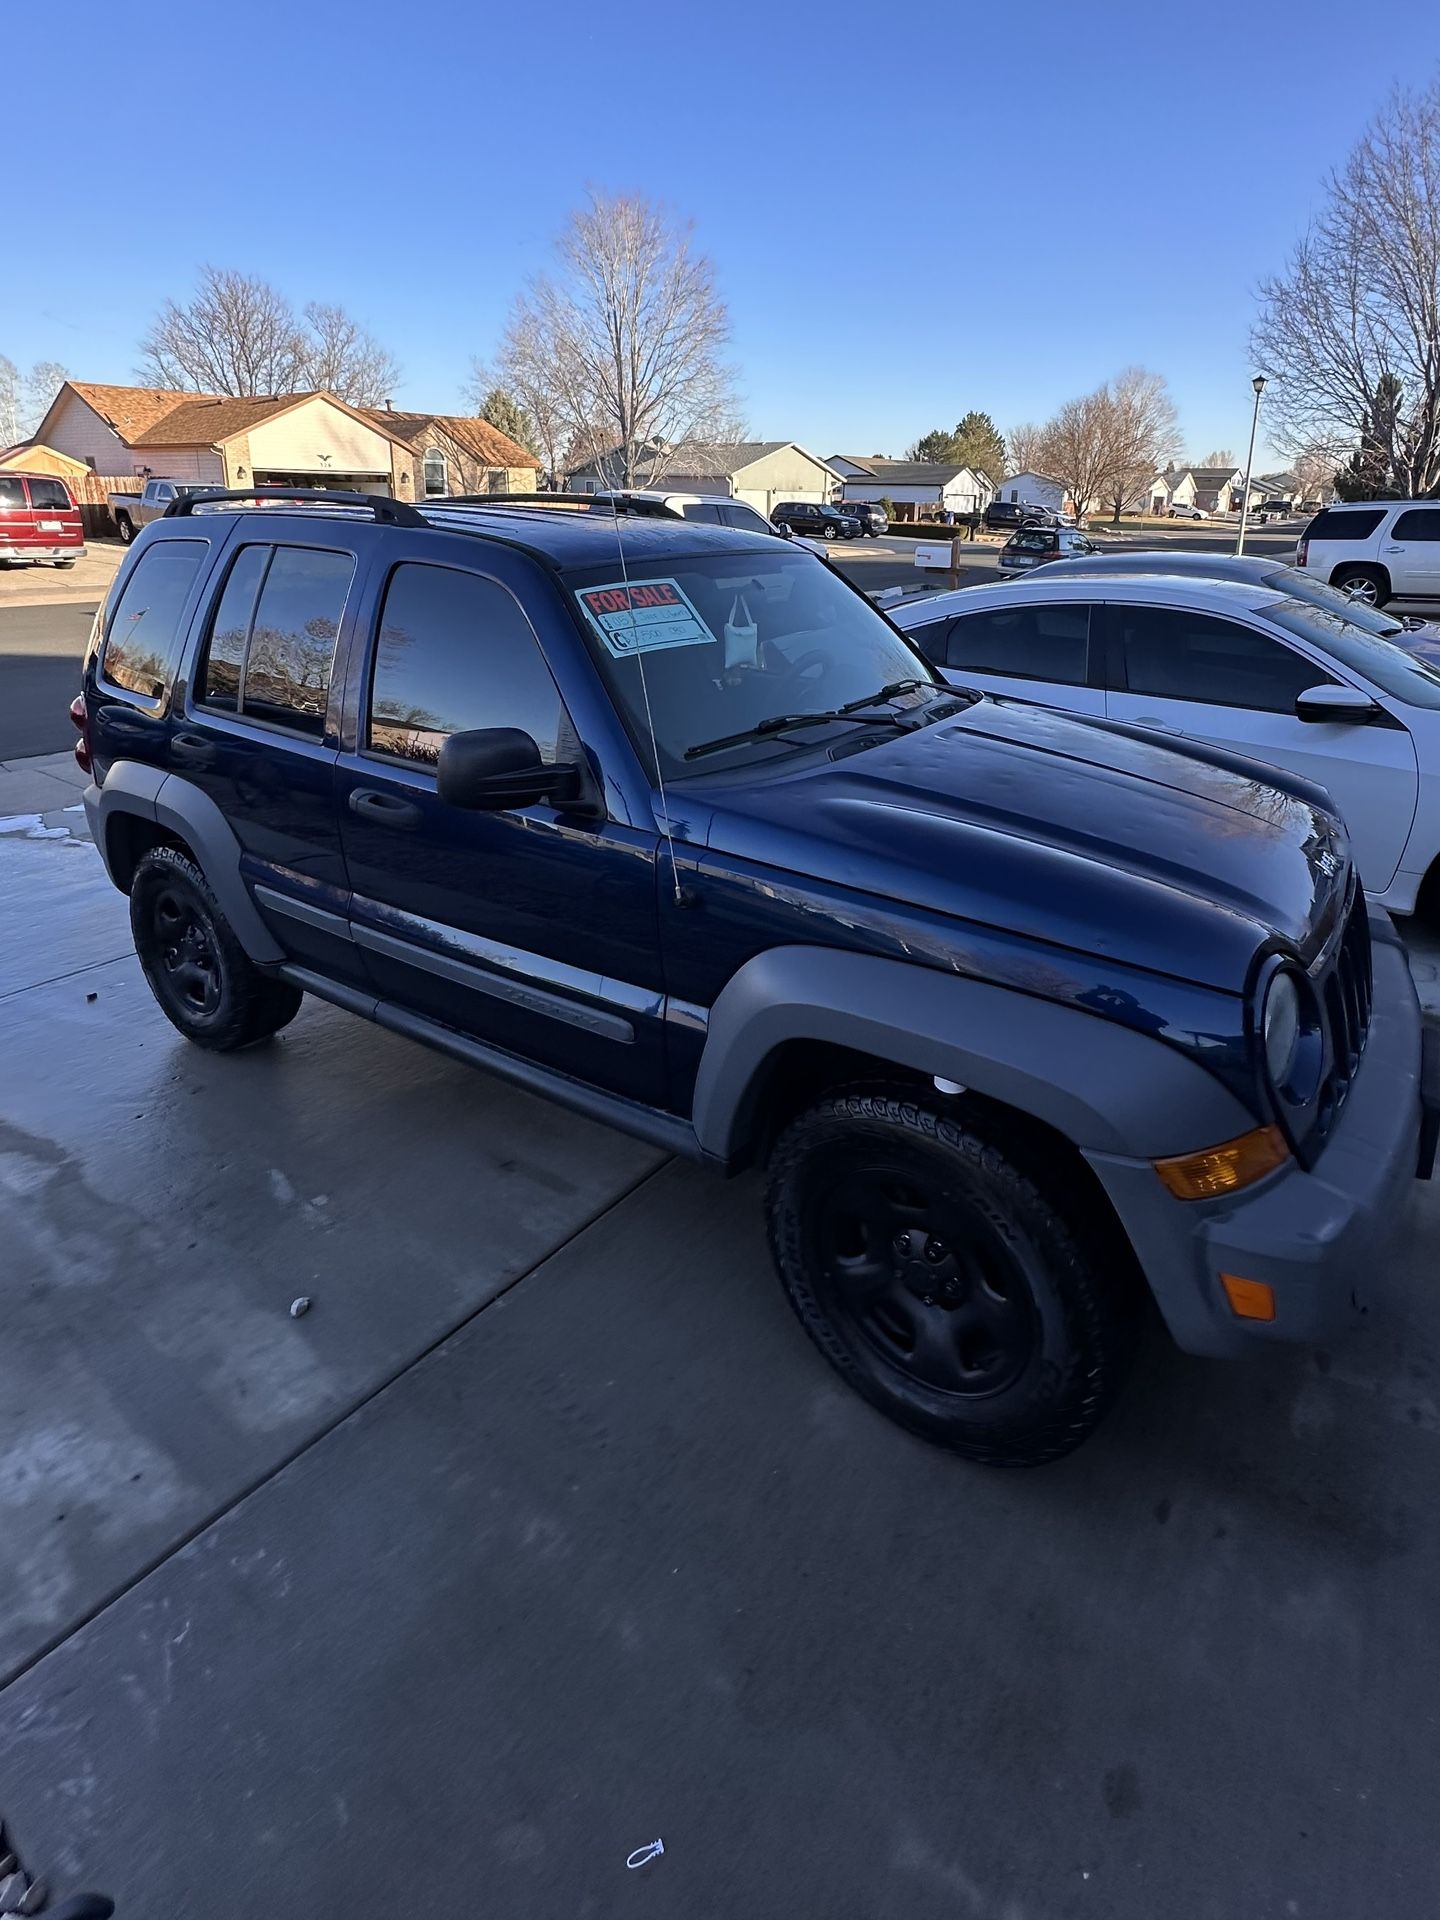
[621, 345]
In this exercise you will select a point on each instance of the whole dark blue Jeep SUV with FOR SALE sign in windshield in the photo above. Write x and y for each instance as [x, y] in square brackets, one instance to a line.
[1020, 1015]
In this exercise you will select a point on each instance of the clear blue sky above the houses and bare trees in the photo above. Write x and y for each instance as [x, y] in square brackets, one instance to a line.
[909, 214]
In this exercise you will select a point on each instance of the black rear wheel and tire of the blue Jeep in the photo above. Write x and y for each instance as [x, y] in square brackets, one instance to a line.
[203, 978]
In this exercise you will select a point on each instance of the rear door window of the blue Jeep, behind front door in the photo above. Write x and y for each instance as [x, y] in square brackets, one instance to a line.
[272, 646]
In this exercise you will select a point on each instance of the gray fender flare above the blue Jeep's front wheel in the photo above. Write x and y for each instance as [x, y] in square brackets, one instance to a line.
[1103, 1086]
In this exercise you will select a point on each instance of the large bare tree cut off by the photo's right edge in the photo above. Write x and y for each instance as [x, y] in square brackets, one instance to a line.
[1358, 304]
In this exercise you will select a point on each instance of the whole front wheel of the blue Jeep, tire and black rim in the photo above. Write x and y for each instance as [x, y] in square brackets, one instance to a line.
[940, 1282]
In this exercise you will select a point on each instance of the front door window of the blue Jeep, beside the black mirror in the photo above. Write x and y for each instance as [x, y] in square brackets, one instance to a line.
[456, 652]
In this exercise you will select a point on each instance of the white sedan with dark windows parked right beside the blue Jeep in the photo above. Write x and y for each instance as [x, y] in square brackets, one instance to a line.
[1239, 667]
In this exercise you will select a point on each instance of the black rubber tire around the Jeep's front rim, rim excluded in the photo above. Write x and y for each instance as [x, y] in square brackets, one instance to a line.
[1082, 1307]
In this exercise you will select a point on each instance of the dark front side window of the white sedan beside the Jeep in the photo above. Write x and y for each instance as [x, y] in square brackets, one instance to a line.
[1182, 656]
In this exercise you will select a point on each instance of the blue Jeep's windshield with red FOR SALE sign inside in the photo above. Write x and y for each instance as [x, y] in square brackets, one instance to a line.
[732, 640]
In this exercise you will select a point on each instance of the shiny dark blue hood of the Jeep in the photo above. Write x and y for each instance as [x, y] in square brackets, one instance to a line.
[1072, 832]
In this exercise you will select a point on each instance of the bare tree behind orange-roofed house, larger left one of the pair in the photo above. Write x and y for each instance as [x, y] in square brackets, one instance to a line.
[239, 335]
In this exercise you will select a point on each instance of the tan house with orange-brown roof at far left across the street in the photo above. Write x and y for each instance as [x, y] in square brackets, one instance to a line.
[312, 441]
